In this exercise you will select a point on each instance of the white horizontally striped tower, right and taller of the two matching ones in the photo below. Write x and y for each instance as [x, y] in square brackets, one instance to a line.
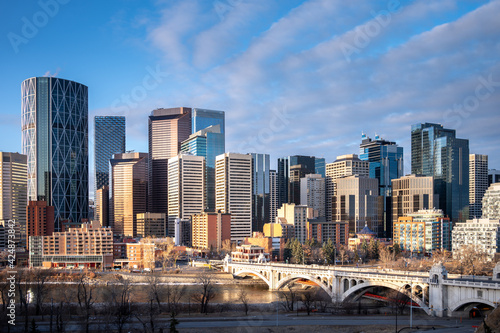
[233, 192]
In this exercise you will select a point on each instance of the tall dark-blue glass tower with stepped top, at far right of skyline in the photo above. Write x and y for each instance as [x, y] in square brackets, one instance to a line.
[435, 151]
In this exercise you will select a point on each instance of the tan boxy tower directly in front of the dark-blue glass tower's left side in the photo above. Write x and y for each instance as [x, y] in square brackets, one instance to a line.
[410, 194]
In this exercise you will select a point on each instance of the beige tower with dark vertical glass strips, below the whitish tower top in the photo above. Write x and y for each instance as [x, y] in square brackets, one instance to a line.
[356, 200]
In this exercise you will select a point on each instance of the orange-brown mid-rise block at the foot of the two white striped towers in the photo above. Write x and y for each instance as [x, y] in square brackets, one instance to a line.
[210, 230]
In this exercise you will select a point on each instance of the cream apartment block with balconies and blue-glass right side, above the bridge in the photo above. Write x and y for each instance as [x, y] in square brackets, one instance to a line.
[423, 232]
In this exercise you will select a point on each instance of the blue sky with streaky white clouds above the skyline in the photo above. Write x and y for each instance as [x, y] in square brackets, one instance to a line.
[294, 77]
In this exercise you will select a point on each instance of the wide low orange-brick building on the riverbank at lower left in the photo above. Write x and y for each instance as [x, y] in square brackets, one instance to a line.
[89, 246]
